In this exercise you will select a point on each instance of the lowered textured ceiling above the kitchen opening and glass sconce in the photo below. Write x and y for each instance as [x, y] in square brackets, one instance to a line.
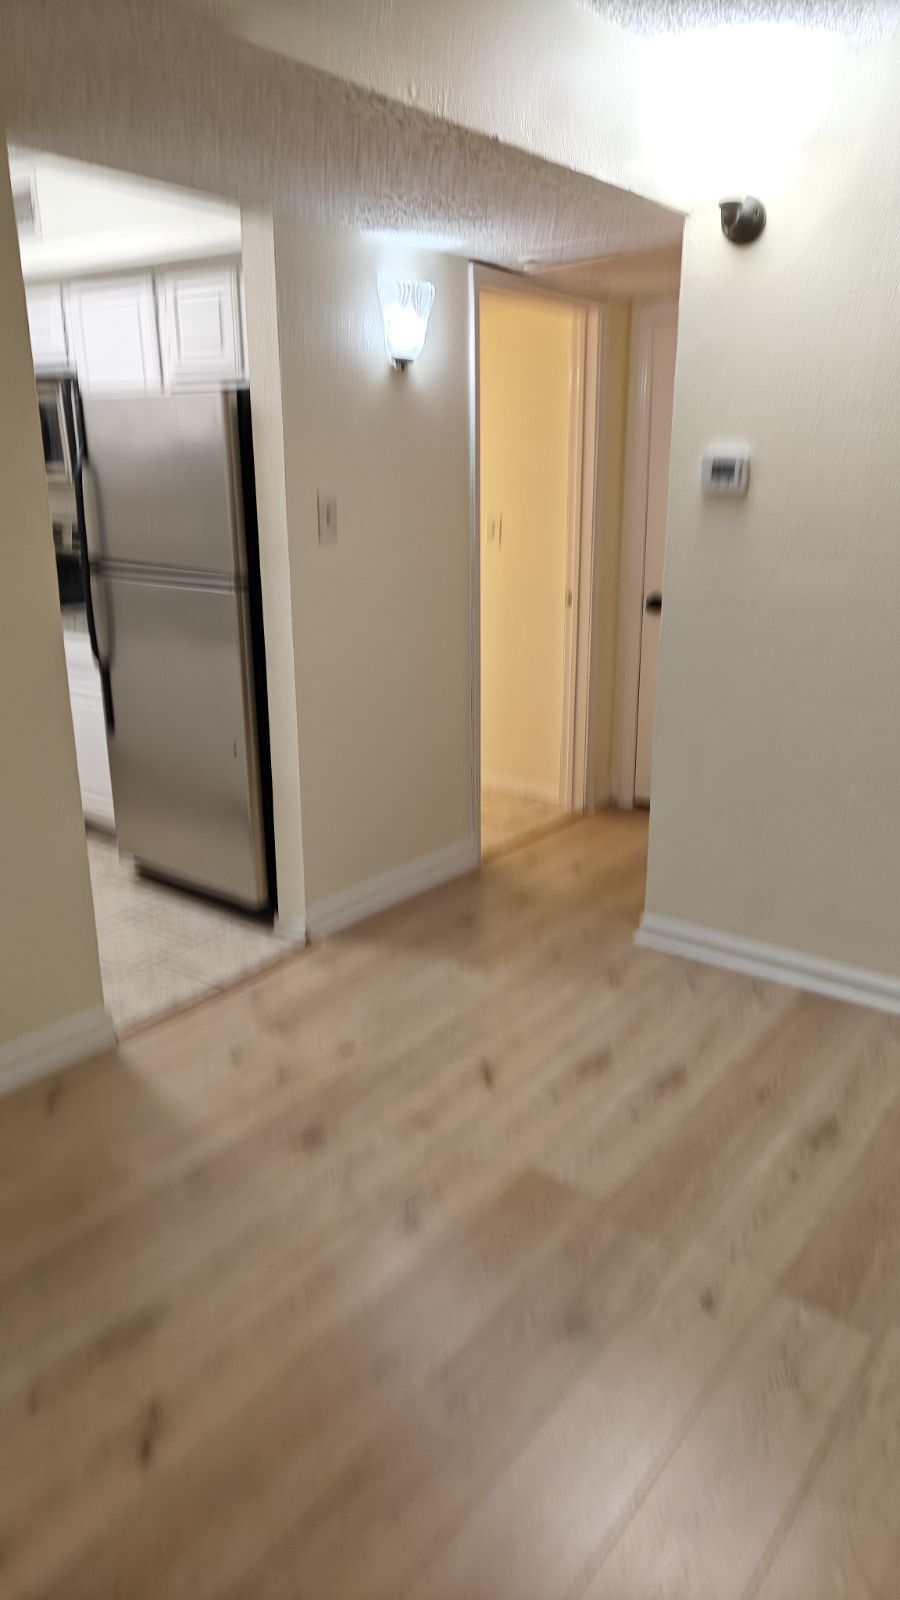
[159, 90]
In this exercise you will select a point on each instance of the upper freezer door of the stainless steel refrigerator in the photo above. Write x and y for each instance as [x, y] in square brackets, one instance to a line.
[166, 481]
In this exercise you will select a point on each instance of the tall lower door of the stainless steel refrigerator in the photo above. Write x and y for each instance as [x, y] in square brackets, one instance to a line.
[183, 751]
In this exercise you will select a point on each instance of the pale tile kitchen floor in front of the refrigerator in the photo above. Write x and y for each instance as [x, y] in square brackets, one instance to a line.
[161, 946]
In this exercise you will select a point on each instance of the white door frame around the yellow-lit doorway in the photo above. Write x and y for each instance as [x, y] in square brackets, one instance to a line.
[577, 756]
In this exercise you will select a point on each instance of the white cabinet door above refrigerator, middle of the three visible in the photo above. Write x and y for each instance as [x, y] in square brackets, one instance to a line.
[113, 329]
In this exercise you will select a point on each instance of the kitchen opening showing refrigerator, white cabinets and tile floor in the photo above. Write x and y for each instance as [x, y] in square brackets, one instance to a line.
[135, 306]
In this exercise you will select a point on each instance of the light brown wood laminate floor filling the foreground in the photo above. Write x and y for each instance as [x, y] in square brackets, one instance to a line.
[473, 1254]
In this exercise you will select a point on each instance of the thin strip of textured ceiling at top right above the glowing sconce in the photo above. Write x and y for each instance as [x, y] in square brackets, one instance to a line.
[851, 18]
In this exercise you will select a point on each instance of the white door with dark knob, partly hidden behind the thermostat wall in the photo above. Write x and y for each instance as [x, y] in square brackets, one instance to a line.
[662, 386]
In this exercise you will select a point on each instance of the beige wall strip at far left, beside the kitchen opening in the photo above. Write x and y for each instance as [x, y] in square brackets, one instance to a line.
[49, 958]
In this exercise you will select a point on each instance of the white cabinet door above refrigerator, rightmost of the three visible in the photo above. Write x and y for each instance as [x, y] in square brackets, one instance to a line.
[201, 327]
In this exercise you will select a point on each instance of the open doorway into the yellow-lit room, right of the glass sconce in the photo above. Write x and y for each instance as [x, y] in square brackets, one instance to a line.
[534, 353]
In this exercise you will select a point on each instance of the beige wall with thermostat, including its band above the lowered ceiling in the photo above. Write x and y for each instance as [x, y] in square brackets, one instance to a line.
[777, 769]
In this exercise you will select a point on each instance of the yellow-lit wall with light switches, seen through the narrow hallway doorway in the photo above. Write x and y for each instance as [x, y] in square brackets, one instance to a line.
[526, 351]
